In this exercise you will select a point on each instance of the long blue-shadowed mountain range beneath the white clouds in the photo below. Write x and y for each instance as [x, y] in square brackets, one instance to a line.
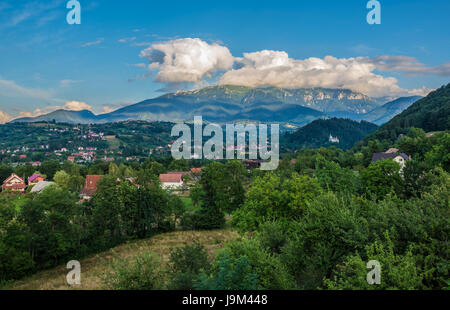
[228, 103]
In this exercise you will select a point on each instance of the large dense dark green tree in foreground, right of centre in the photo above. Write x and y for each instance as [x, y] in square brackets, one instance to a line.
[330, 229]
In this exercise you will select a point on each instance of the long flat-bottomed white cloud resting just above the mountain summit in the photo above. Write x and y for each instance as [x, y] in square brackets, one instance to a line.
[276, 68]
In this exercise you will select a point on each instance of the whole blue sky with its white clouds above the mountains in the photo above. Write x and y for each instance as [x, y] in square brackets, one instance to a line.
[102, 64]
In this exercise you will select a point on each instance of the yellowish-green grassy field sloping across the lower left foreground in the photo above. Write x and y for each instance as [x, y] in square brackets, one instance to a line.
[94, 266]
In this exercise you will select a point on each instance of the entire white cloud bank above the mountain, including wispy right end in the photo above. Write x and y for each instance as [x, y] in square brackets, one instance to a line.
[189, 60]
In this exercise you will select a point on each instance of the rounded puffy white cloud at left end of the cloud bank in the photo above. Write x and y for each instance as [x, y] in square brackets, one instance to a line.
[187, 60]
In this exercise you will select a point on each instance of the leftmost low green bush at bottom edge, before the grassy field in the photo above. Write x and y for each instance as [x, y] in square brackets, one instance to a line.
[142, 273]
